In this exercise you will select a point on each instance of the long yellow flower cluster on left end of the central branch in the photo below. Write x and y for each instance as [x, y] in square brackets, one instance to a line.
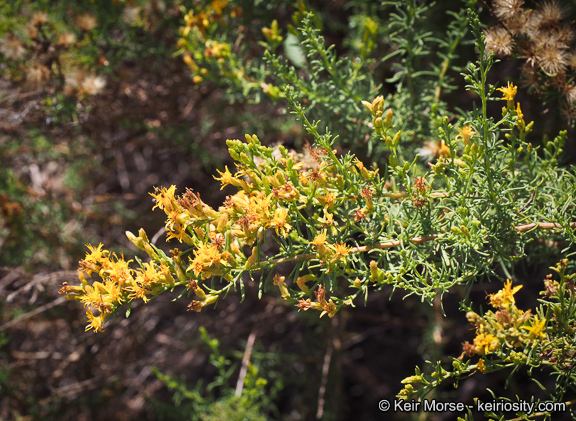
[268, 193]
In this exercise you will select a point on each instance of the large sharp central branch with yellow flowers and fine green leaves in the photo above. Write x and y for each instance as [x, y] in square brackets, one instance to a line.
[420, 232]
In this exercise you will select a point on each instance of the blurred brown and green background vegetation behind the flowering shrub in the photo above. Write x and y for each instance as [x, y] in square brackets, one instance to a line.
[96, 109]
